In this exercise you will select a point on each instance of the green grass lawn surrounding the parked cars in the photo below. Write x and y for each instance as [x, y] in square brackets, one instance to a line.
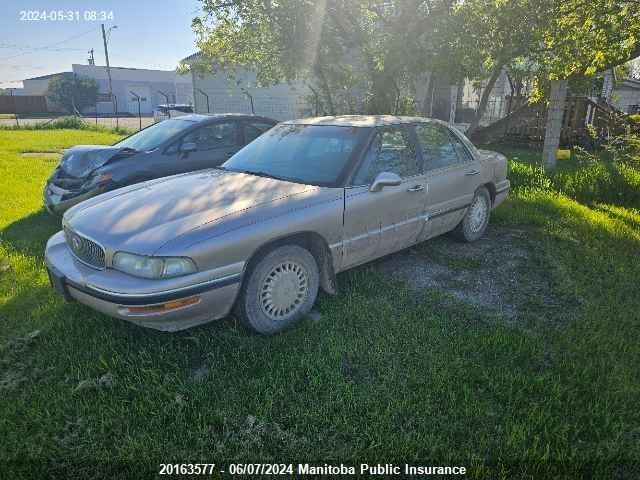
[385, 375]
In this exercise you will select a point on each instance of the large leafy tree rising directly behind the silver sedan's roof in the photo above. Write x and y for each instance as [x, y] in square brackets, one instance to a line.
[356, 55]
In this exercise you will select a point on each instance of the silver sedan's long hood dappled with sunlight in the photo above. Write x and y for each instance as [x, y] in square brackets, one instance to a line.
[143, 217]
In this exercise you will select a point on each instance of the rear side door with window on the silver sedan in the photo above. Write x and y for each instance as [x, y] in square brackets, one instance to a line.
[453, 175]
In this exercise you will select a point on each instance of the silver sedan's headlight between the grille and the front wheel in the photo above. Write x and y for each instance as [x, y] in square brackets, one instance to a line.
[153, 267]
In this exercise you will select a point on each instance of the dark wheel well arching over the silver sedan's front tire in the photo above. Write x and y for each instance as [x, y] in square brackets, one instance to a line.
[311, 241]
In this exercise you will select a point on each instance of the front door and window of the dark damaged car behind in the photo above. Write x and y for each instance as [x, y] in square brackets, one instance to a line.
[208, 146]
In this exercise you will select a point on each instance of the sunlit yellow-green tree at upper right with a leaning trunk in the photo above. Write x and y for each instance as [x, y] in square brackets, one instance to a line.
[567, 41]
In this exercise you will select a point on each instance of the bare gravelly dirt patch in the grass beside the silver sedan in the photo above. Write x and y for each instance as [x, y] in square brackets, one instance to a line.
[504, 273]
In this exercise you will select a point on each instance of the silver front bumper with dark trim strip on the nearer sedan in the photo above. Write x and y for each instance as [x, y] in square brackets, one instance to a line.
[146, 307]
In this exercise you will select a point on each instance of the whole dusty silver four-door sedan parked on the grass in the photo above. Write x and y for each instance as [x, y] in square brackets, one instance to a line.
[261, 234]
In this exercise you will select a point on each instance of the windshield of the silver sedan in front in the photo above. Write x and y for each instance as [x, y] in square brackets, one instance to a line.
[309, 154]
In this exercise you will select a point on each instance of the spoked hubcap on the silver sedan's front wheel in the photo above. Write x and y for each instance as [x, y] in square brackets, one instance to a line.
[283, 290]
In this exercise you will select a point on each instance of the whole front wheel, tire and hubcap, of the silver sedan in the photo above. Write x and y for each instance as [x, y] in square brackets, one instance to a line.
[280, 290]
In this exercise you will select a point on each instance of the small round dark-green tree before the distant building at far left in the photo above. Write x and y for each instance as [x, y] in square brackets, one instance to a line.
[72, 92]
